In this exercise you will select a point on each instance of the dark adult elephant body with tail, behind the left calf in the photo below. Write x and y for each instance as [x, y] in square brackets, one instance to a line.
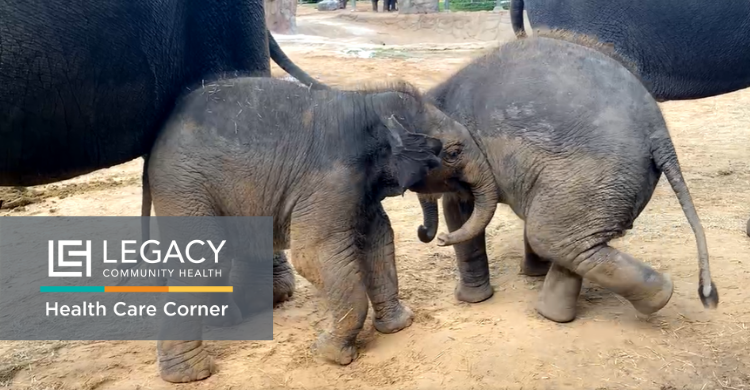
[87, 85]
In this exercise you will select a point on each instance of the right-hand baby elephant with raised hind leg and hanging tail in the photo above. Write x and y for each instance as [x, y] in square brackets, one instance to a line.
[577, 146]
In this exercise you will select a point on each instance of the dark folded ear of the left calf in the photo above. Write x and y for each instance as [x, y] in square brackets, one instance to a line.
[413, 155]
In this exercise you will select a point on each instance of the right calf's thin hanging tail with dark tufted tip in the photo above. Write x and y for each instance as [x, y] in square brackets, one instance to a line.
[665, 157]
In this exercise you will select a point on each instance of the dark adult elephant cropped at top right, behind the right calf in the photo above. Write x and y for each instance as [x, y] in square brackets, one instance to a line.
[682, 49]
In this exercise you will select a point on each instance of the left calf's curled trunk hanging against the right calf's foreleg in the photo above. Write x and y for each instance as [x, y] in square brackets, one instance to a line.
[478, 175]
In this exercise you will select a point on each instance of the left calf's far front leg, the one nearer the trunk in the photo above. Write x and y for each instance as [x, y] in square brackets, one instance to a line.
[380, 275]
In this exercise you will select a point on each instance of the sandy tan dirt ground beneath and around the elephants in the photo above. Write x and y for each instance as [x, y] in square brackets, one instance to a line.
[497, 344]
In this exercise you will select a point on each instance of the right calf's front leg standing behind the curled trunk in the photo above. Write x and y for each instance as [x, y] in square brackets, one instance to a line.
[471, 256]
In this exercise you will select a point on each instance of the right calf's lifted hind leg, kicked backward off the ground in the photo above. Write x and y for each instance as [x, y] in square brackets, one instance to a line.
[647, 289]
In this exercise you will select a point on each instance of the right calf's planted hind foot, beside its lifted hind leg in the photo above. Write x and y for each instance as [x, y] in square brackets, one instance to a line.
[559, 295]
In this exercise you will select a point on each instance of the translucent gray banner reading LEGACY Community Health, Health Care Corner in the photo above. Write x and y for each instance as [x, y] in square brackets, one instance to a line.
[63, 278]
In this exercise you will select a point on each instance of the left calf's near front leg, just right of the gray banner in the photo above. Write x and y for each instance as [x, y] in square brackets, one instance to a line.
[329, 259]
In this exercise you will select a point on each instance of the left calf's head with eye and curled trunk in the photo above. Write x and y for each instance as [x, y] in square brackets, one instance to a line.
[464, 168]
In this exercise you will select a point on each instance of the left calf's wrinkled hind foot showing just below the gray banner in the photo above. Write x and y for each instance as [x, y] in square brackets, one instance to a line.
[186, 363]
